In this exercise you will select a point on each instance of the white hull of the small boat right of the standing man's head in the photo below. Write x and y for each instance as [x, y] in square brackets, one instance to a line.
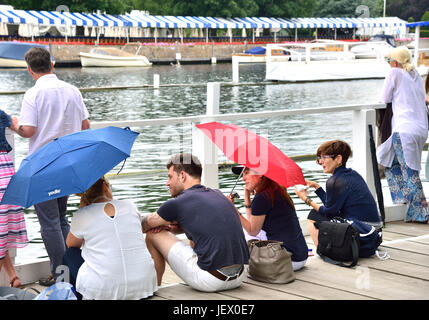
[96, 60]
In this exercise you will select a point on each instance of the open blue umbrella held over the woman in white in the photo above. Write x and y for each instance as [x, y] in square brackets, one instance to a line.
[67, 165]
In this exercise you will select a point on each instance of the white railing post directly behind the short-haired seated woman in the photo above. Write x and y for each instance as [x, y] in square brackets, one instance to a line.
[361, 148]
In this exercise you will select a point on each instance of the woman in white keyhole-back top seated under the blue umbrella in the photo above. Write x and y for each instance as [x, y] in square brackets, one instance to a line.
[114, 263]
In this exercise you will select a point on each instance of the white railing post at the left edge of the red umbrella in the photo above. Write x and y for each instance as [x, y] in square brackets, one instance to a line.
[202, 146]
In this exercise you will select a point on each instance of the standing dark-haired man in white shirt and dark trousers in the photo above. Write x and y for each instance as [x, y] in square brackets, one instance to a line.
[50, 109]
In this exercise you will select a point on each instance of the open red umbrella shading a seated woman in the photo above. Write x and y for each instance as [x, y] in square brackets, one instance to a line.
[253, 151]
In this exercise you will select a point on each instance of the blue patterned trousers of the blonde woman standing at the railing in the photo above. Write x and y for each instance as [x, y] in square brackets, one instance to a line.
[405, 185]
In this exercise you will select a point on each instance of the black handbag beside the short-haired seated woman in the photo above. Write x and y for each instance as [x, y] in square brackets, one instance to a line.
[338, 242]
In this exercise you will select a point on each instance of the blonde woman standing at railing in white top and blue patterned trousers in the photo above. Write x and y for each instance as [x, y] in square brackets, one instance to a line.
[401, 153]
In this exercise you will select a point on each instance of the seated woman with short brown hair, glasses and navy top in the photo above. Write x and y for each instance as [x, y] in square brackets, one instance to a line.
[347, 194]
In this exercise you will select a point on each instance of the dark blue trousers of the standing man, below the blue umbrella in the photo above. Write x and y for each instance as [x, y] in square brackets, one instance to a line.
[54, 228]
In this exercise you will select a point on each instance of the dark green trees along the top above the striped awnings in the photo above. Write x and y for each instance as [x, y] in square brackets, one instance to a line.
[411, 10]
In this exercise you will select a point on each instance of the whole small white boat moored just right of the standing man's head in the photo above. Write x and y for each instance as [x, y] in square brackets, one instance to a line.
[112, 57]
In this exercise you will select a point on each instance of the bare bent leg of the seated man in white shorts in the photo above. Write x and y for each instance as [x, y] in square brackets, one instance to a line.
[159, 245]
